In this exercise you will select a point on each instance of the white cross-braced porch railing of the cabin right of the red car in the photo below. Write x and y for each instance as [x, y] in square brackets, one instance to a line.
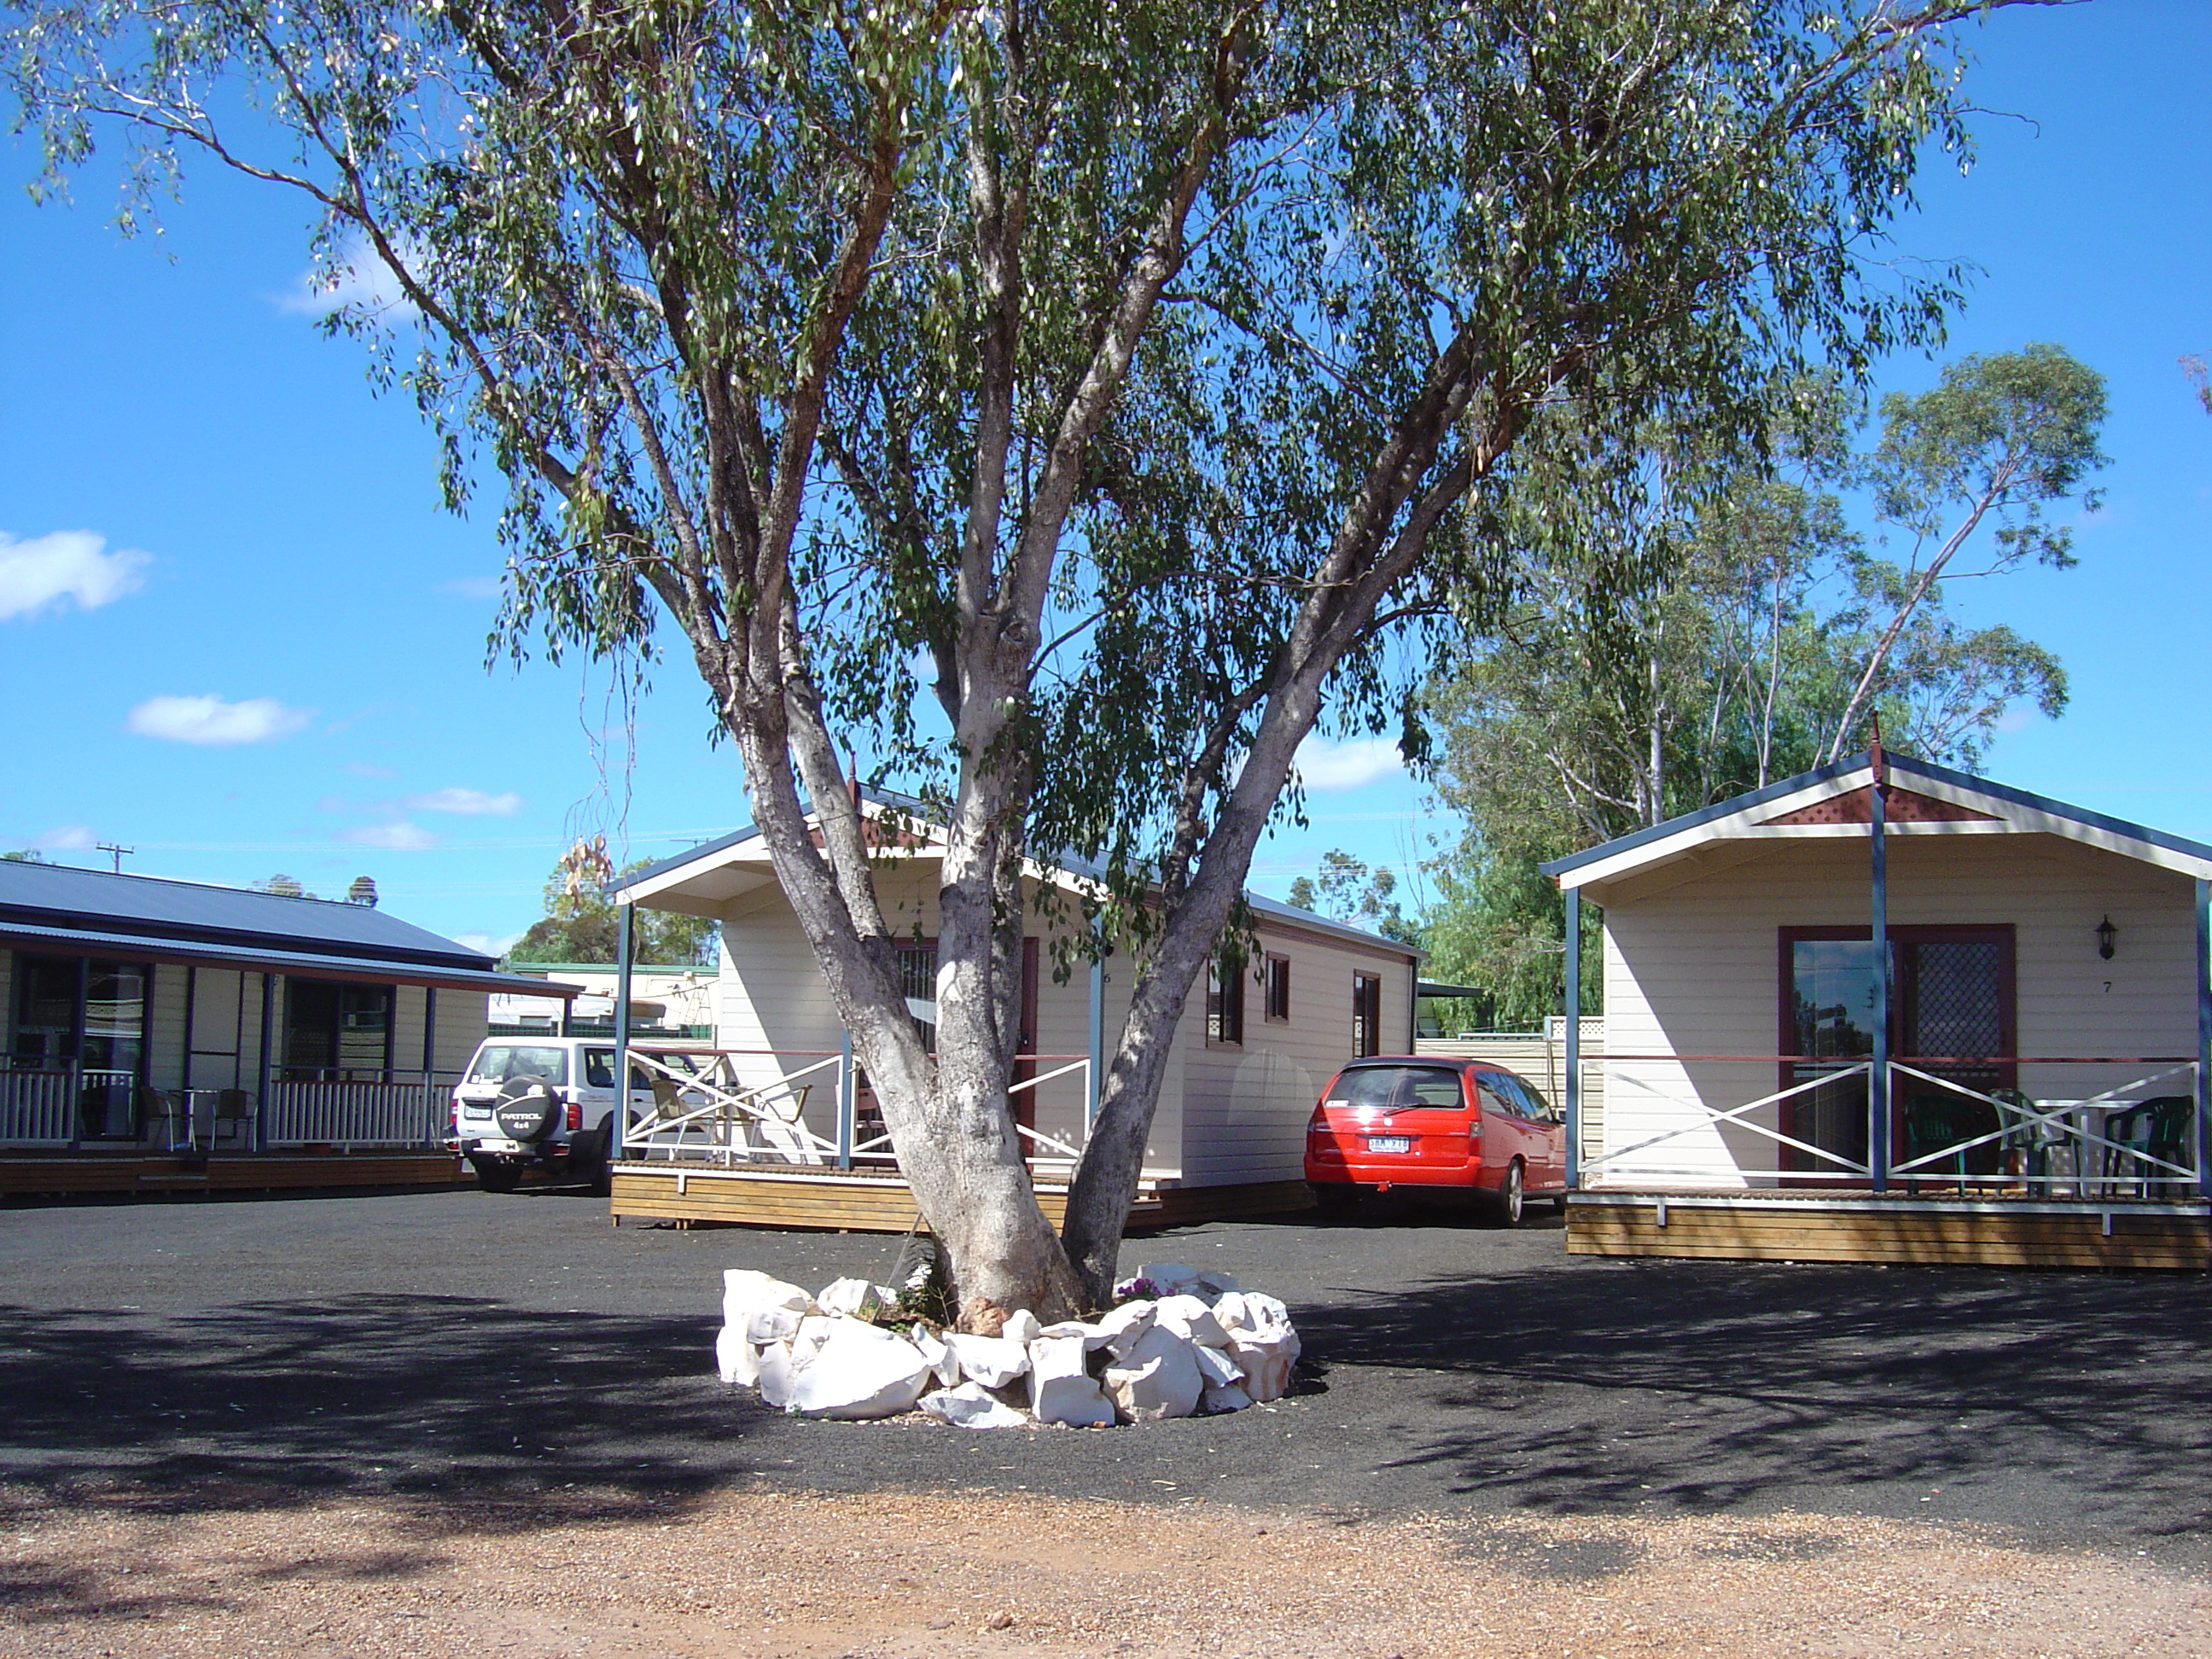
[2127, 1140]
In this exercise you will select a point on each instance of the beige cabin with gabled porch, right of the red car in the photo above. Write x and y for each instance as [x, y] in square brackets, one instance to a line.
[2034, 1032]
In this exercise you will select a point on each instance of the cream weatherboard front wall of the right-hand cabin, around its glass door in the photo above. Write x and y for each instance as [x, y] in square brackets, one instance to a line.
[1693, 970]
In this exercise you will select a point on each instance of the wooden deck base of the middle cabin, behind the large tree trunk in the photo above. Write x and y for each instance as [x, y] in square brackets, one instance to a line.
[875, 1202]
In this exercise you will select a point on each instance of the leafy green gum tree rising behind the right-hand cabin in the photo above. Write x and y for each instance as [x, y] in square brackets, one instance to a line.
[1700, 625]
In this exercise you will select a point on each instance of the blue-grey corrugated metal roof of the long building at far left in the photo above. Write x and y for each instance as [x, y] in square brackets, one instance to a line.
[61, 897]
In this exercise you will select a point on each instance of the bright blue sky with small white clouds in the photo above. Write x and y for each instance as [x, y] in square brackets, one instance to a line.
[269, 643]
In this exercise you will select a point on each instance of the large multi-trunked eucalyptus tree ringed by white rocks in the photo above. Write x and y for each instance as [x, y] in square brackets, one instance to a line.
[1142, 371]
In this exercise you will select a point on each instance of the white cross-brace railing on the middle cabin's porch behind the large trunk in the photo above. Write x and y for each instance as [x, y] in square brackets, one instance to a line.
[724, 1112]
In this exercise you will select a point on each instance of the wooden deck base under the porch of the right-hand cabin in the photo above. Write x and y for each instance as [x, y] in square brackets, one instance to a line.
[1923, 1231]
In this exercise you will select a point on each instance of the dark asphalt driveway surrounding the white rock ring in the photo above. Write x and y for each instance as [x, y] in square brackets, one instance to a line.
[472, 1344]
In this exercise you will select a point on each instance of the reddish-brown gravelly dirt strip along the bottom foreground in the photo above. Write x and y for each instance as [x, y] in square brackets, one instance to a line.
[127, 1574]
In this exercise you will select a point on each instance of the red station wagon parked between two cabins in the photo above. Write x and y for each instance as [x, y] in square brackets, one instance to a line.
[1434, 1127]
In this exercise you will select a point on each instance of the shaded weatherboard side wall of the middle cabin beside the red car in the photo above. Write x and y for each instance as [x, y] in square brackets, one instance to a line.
[1246, 1107]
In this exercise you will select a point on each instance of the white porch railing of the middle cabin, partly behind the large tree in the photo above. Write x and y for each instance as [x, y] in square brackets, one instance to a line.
[731, 1114]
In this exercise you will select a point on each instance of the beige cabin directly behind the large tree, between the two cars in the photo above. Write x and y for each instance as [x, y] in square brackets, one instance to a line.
[1249, 1063]
